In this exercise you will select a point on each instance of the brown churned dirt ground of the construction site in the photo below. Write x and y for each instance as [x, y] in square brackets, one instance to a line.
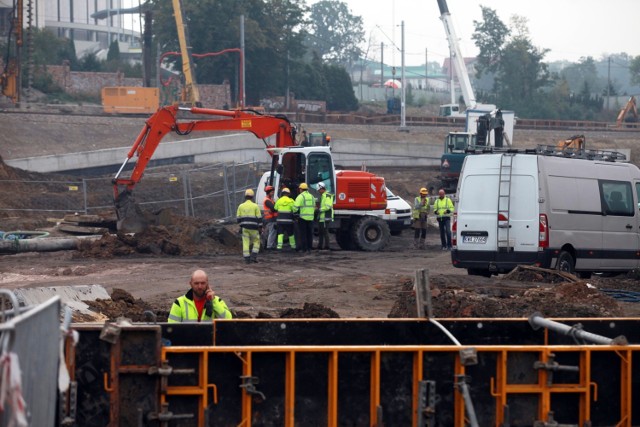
[145, 273]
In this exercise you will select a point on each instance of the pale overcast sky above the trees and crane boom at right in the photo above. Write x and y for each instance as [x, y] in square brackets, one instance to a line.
[570, 28]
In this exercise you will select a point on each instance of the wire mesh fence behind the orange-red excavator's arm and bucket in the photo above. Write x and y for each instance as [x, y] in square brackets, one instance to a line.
[211, 191]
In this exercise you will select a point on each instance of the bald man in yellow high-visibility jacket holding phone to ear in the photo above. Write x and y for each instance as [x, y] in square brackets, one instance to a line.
[200, 303]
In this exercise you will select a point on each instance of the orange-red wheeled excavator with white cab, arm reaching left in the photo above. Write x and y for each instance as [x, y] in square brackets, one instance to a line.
[360, 197]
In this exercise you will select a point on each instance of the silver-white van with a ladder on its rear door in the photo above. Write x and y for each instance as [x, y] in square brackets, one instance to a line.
[542, 208]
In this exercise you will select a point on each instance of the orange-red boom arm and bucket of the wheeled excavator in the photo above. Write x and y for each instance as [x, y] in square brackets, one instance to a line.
[166, 120]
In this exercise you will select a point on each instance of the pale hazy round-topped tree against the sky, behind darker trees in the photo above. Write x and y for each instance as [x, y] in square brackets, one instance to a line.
[335, 33]
